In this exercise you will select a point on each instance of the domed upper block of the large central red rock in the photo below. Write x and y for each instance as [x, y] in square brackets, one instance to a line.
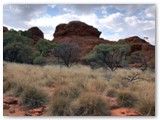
[76, 28]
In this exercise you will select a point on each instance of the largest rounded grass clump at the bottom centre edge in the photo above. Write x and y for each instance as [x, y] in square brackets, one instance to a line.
[90, 104]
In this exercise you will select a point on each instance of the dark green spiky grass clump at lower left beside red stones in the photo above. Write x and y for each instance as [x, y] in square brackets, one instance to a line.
[33, 97]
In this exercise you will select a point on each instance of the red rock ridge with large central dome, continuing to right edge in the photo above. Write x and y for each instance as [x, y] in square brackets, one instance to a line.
[87, 37]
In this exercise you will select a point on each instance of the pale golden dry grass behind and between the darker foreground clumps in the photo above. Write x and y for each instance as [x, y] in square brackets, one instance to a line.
[72, 82]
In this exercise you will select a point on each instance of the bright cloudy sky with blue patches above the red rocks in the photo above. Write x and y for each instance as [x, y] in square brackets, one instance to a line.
[115, 21]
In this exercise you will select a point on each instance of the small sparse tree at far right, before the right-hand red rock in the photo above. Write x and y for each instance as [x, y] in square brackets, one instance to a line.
[139, 57]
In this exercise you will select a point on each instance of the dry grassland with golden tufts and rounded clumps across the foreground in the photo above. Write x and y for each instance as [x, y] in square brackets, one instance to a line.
[79, 90]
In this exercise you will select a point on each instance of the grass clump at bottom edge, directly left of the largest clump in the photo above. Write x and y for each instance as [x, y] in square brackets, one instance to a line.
[60, 106]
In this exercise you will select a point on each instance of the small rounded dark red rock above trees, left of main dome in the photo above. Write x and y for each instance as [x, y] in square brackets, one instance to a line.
[36, 33]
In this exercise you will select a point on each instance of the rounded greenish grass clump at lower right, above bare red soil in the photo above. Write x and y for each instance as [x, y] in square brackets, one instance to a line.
[126, 99]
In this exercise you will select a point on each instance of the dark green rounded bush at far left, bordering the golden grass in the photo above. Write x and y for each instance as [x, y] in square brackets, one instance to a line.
[17, 52]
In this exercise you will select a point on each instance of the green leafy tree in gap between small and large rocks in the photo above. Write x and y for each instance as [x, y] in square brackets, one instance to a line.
[44, 46]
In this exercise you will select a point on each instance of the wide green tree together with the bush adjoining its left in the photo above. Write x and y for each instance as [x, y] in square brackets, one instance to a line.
[108, 56]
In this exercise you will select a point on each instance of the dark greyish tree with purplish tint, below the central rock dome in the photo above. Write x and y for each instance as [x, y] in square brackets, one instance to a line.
[67, 52]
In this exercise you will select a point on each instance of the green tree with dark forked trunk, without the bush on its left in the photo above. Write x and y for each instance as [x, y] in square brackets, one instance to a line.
[112, 56]
